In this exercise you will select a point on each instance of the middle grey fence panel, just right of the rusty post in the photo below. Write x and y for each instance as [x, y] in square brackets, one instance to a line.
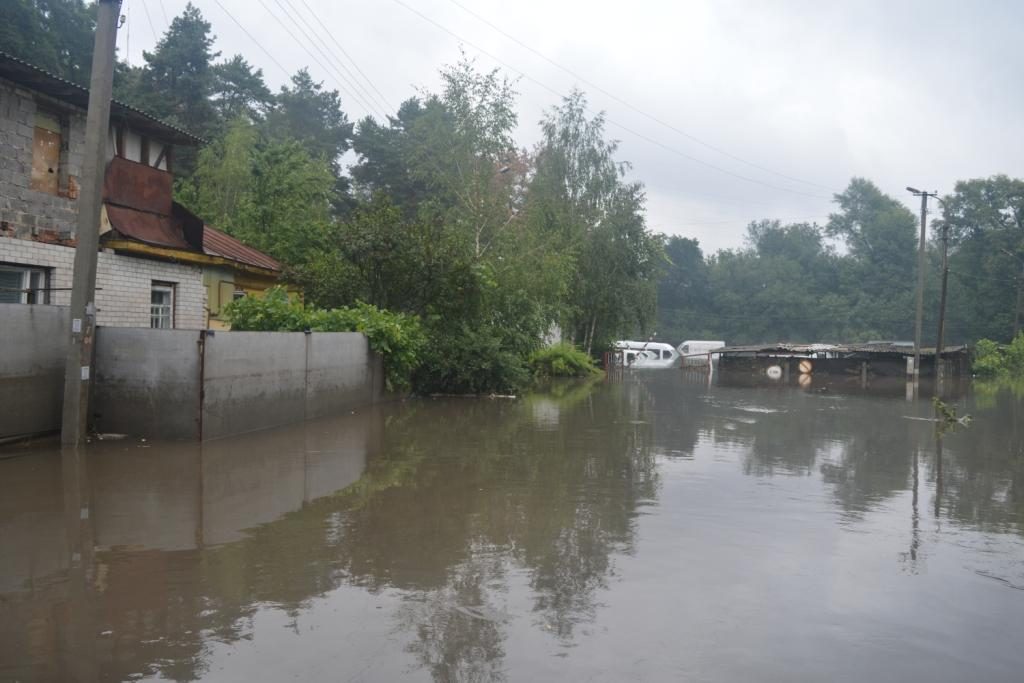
[253, 380]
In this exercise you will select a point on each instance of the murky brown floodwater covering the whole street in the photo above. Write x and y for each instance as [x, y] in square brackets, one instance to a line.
[650, 528]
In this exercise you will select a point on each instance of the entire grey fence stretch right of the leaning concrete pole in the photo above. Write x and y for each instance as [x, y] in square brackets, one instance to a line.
[149, 381]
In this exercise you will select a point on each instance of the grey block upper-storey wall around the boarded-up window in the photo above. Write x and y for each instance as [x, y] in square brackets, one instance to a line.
[26, 212]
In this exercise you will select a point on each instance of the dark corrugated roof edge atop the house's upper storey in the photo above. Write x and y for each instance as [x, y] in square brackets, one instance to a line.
[31, 76]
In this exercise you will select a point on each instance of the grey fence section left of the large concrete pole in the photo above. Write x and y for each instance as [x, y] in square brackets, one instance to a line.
[35, 345]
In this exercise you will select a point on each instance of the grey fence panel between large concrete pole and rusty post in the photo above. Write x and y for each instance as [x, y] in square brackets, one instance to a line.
[147, 382]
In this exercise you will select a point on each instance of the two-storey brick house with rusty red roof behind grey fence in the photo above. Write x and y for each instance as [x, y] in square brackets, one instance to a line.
[153, 251]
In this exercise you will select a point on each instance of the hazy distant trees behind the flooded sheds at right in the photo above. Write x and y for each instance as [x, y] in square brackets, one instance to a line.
[855, 279]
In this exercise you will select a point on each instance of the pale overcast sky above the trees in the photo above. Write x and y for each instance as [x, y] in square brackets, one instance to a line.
[772, 107]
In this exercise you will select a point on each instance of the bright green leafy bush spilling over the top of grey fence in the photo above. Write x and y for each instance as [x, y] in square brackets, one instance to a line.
[398, 337]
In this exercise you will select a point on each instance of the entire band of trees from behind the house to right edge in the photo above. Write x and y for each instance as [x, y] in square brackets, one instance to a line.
[437, 214]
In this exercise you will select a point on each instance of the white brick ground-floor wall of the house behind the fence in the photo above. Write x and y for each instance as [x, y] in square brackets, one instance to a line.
[123, 283]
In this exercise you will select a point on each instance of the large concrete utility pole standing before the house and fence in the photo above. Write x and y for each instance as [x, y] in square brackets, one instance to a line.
[78, 370]
